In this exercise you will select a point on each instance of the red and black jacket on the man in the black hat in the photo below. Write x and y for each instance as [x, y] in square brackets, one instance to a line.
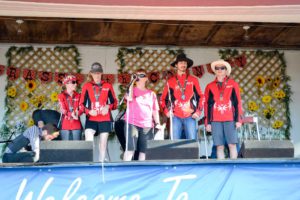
[185, 94]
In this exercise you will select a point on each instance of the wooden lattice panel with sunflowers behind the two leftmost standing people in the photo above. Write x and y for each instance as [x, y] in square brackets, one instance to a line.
[39, 59]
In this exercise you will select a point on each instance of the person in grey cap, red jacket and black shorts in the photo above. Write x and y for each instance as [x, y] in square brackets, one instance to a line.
[97, 101]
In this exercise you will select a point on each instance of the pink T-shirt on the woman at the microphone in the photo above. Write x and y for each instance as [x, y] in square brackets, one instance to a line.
[141, 107]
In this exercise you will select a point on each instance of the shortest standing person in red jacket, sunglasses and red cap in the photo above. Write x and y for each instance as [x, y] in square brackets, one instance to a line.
[69, 108]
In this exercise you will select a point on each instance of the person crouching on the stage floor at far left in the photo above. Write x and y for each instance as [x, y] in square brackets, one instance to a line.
[32, 136]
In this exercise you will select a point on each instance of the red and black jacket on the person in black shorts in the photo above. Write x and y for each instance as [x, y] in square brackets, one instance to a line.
[95, 96]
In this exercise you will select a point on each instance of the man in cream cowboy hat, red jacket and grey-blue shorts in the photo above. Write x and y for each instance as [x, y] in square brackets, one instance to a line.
[223, 109]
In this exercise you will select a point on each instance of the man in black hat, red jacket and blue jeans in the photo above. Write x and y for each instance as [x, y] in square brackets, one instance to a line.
[183, 93]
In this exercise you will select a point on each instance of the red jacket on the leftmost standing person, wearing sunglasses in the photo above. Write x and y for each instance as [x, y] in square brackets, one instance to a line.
[68, 104]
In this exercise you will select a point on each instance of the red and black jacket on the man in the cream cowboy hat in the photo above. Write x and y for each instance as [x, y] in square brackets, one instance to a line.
[223, 103]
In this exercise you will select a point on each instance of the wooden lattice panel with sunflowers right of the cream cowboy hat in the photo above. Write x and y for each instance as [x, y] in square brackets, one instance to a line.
[246, 77]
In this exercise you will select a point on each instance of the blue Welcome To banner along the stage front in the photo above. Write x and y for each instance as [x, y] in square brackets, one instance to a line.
[189, 179]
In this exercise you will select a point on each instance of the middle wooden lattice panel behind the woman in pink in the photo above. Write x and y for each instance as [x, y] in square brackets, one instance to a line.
[150, 60]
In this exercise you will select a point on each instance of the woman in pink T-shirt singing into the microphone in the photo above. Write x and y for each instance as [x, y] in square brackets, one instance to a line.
[141, 116]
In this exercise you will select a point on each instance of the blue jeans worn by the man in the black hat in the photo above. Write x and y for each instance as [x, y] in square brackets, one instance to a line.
[183, 126]
